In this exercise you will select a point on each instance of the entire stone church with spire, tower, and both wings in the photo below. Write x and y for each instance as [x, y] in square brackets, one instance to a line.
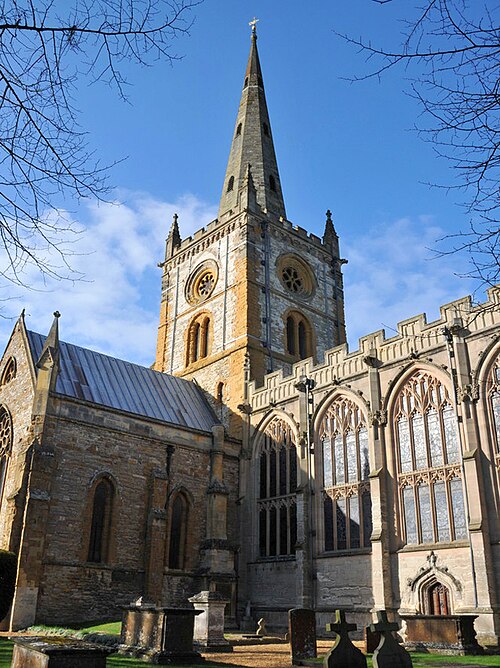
[258, 456]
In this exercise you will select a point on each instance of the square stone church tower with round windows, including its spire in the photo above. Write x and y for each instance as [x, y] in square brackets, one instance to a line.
[250, 293]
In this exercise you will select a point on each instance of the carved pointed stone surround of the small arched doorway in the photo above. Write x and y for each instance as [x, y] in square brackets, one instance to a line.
[414, 595]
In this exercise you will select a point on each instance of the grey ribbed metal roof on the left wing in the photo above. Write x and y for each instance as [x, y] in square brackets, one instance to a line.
[108, 381]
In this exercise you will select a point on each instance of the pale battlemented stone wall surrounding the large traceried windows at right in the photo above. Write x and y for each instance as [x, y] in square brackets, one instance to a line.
[394, 572]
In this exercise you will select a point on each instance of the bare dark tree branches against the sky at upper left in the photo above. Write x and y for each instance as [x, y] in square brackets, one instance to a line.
[46, 48]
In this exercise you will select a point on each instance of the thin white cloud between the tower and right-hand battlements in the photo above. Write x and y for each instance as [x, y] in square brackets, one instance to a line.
[393, 275]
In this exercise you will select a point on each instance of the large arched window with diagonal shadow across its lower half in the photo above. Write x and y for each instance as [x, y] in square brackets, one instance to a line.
[346, 491]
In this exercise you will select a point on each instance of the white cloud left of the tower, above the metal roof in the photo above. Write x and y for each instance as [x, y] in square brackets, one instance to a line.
[114, 308]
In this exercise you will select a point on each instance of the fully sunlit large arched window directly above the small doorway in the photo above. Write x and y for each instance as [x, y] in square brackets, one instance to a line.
[428, 457]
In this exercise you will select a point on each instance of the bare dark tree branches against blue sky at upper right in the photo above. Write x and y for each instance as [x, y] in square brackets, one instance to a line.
[451, 51]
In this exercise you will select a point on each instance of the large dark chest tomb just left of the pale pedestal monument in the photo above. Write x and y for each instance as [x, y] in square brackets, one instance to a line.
[159, 635]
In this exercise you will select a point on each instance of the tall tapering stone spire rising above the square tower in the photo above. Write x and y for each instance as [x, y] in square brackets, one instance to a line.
[253, 145]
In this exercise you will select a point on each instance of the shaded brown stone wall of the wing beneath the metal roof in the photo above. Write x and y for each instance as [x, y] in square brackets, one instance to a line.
[53, 474]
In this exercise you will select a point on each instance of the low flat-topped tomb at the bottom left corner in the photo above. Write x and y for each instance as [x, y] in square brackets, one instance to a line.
[55, 652]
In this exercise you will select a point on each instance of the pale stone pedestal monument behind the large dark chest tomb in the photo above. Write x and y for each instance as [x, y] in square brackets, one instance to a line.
[209, 625]
